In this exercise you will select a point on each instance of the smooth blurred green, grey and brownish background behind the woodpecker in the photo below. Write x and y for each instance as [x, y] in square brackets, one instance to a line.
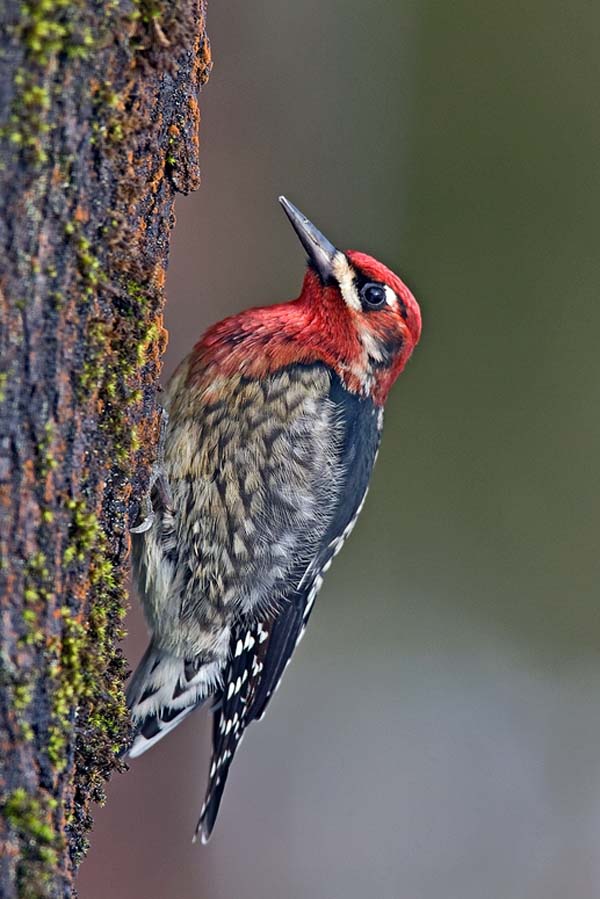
[438, 732]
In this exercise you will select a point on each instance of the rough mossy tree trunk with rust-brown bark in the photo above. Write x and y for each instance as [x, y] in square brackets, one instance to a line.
[98, 103]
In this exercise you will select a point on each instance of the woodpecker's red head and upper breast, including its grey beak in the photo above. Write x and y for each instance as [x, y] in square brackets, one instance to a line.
[353, 314]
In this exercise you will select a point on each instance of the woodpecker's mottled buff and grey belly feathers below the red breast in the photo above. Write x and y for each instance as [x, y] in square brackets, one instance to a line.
[256, 478]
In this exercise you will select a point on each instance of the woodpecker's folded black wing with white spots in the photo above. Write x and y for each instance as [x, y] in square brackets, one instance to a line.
[262, 647]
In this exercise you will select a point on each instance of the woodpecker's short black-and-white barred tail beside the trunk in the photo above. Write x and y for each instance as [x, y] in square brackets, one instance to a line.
[163, 691]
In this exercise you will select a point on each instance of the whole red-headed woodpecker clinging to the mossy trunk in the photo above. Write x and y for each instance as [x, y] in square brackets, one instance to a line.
[274, 422]
